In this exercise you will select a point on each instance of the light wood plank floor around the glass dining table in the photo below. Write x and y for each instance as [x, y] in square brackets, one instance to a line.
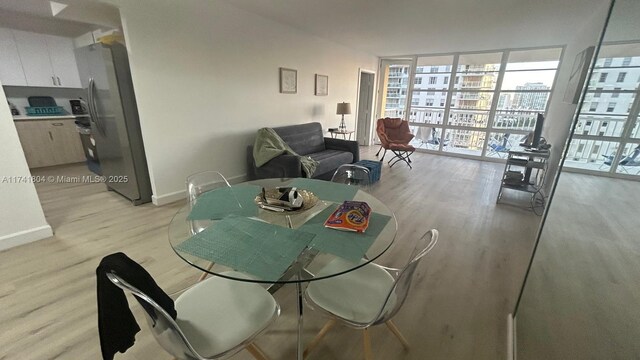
[457, 309]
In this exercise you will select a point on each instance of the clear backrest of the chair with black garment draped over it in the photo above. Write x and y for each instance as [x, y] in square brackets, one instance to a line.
[164, 329]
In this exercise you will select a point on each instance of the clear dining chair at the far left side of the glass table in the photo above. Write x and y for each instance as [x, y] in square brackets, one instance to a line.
[198, 184]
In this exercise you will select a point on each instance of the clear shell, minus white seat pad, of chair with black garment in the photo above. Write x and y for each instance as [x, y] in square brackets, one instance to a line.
[171, 337]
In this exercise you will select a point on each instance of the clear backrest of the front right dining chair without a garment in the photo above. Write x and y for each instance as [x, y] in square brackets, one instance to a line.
[402, 284]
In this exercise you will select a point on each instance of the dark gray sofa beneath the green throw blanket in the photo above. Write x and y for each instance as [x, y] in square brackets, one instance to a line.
[306, 140]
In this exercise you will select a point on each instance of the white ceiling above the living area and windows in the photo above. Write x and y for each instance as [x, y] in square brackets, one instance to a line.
[403, 27]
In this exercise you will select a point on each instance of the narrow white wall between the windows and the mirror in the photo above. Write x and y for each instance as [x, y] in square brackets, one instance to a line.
[557, 125]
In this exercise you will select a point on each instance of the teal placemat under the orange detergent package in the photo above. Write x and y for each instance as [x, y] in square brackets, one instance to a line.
[346, 244]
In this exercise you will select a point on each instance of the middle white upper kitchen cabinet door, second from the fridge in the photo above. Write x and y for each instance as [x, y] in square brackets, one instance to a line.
[35, 59]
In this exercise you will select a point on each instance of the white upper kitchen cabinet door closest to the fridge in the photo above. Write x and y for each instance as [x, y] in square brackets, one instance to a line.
[63, 61]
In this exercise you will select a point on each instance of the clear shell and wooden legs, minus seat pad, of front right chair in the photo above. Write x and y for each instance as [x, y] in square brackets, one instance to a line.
[401, 286]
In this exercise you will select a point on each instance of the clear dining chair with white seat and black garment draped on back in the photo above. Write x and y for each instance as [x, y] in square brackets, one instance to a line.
[216, 318]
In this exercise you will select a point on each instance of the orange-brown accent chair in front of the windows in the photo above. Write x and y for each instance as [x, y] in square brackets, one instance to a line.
[395, 135]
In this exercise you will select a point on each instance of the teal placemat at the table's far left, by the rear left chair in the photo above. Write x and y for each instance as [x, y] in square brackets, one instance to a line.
[218, 203]
